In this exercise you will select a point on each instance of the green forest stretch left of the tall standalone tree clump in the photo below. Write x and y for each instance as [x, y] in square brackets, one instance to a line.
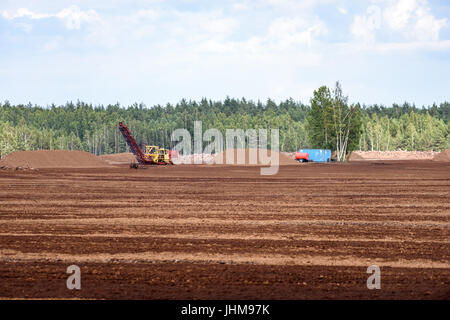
[81, 126]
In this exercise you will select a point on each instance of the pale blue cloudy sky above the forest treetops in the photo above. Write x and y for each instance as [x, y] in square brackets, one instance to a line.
[161, 51]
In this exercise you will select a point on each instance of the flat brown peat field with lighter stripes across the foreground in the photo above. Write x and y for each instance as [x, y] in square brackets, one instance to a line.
[225, 232]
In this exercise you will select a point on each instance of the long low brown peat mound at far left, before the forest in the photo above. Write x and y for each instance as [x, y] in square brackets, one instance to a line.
[52, 159]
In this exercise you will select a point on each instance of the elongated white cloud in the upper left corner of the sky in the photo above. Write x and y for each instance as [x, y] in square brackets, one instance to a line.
[72, 16]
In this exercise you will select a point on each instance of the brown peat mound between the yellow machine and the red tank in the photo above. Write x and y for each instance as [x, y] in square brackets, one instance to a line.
[284, 159]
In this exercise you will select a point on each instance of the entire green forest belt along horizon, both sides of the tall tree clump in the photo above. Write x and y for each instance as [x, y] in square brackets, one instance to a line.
[94, 128]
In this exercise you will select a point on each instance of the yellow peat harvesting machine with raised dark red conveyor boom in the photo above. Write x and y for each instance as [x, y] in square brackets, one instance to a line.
[152, 155]
